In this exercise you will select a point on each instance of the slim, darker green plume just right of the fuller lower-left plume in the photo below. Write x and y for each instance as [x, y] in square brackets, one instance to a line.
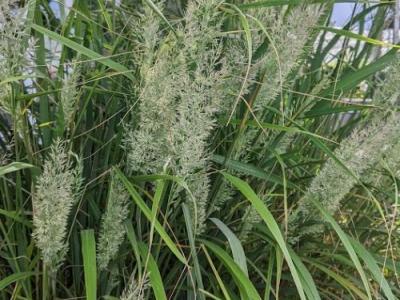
[112, 226]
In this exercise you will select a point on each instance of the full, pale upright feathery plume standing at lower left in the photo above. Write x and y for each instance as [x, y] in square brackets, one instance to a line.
[57, 189]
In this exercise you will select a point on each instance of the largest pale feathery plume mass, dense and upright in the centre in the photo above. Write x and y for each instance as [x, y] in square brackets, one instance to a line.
[180, 94]
